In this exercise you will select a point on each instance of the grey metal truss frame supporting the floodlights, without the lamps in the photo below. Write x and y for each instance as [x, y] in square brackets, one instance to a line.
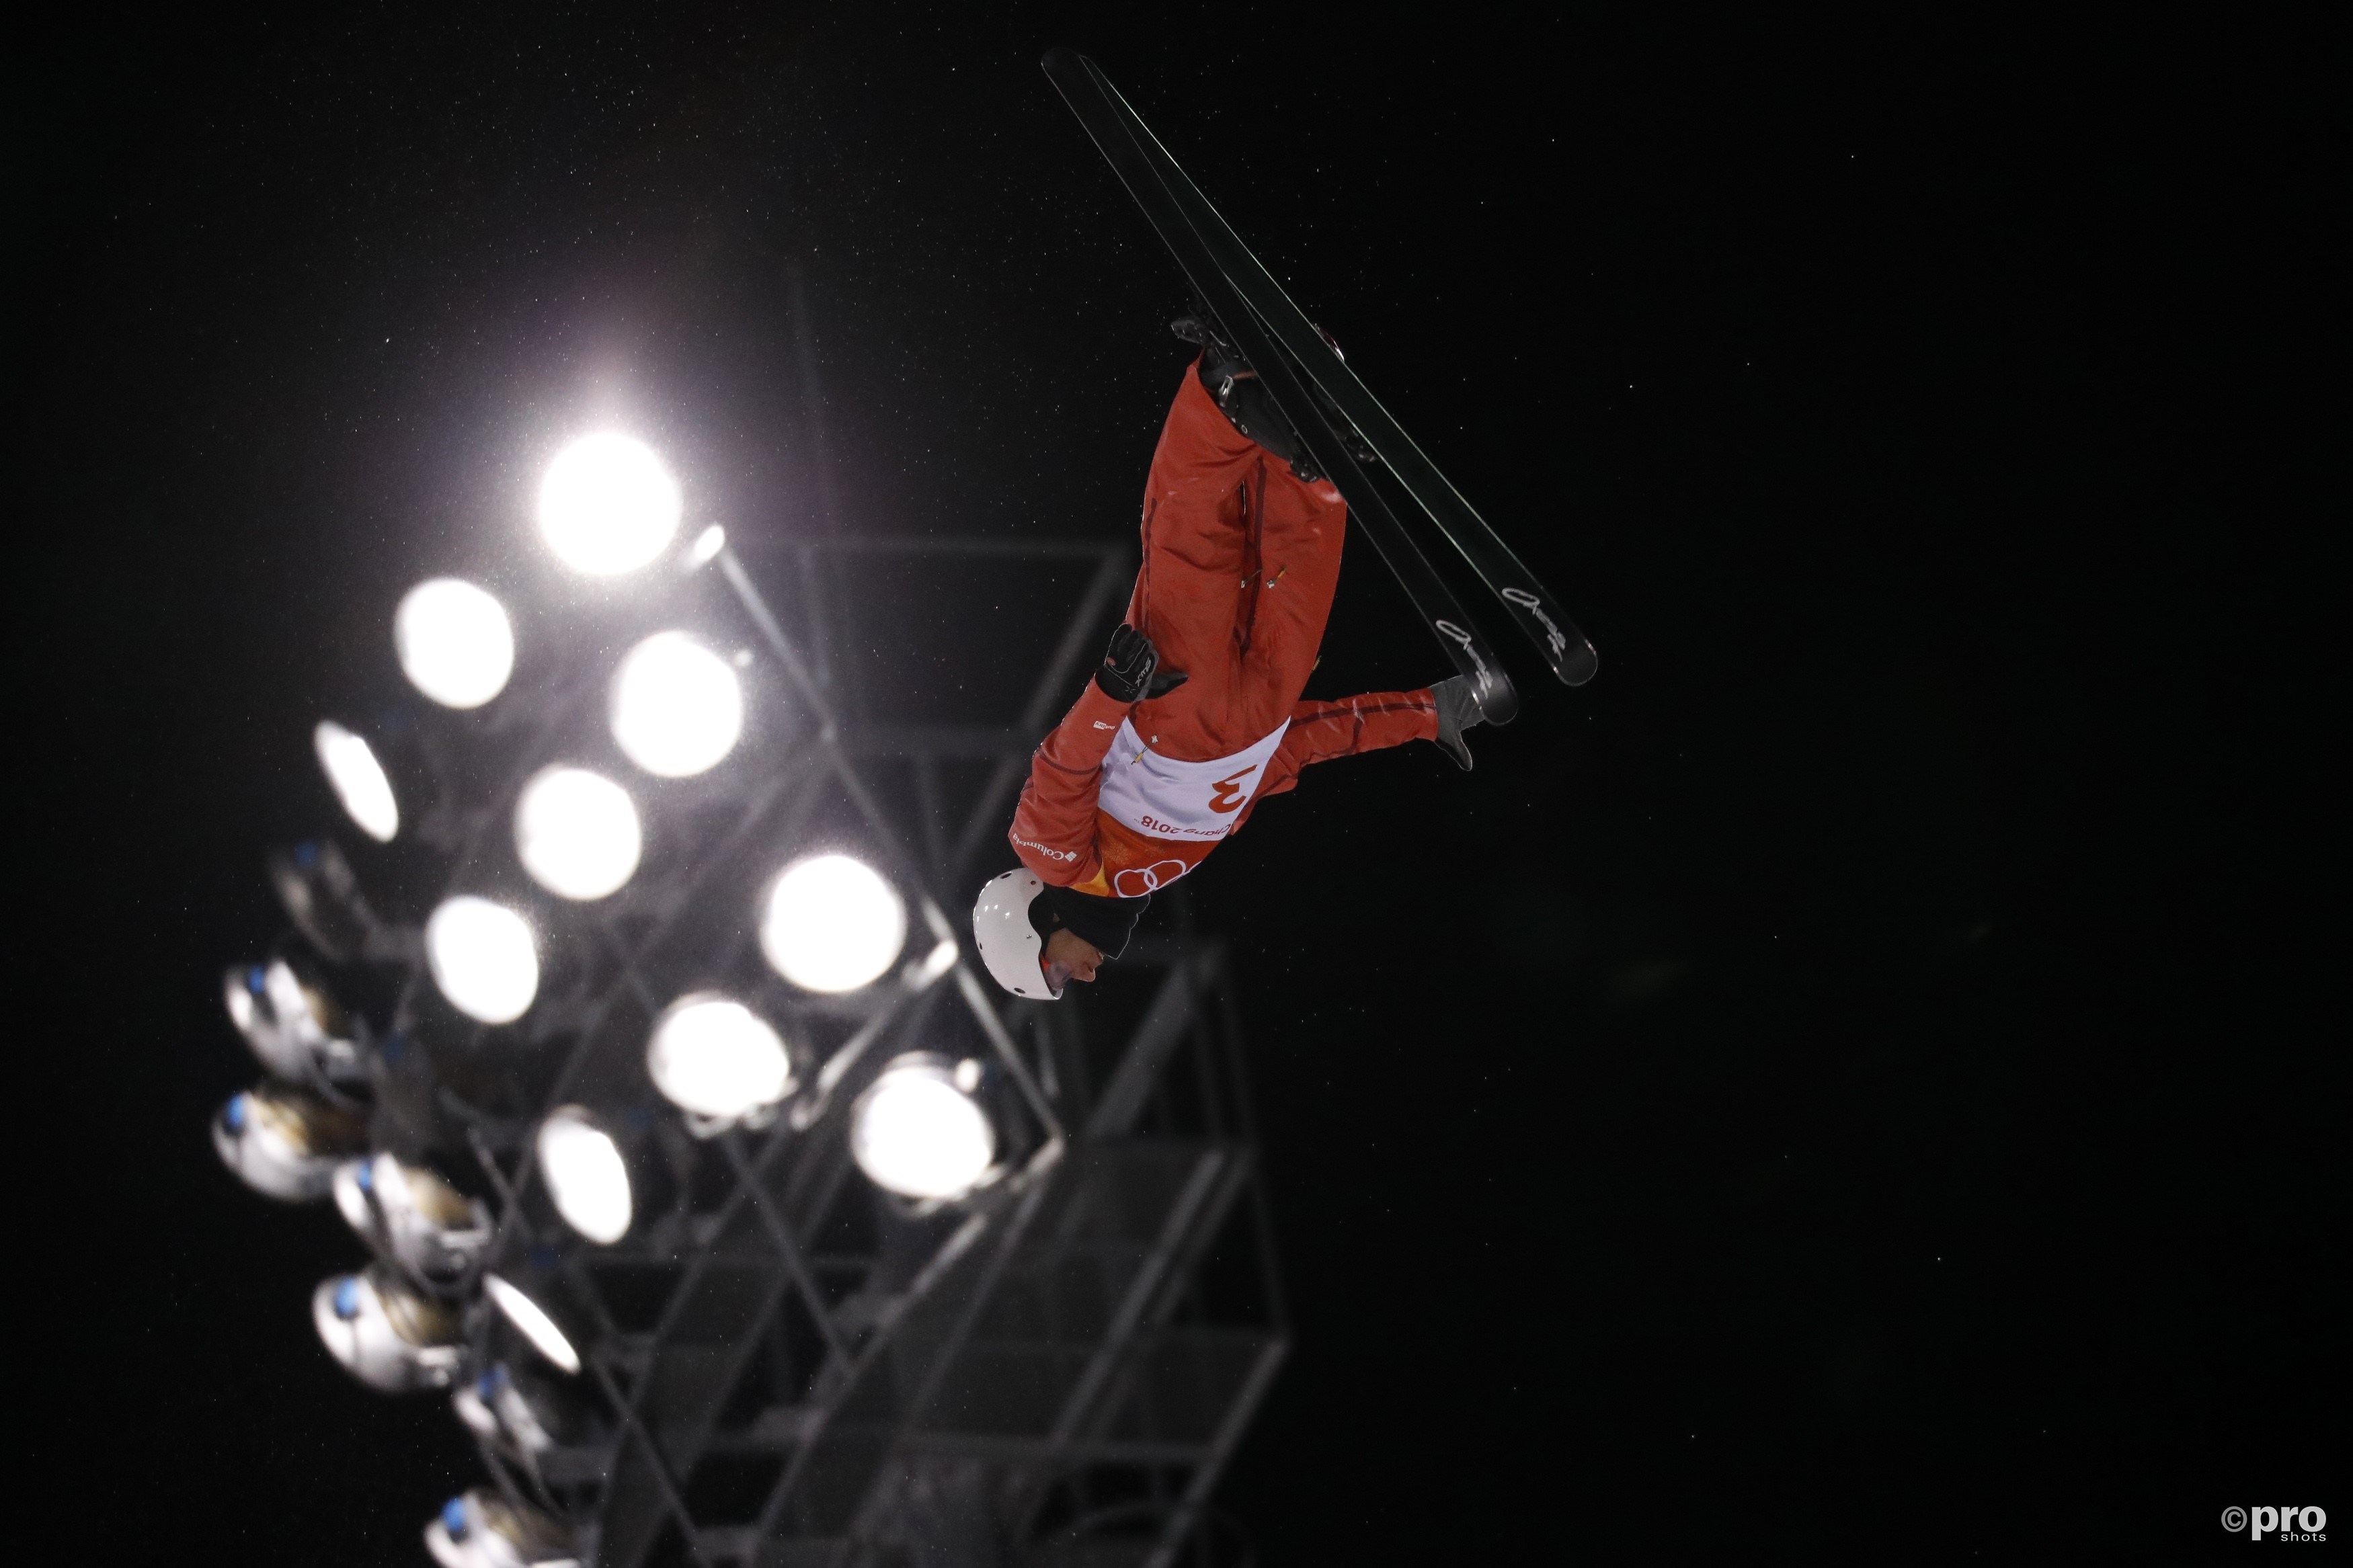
[796, 1369]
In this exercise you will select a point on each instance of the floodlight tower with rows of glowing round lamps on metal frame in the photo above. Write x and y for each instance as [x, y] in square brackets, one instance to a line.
[745, 1221]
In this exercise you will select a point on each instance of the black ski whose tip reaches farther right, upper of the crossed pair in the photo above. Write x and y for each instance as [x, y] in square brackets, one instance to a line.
[1531, 605]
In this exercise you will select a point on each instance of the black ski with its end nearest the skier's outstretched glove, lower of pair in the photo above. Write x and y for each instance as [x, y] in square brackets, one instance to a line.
[1100, 109]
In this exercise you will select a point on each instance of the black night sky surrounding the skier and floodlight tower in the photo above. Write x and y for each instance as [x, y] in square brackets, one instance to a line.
[1839, 1083]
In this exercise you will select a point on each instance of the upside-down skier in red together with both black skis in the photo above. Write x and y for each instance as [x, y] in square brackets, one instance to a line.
[1197, 711]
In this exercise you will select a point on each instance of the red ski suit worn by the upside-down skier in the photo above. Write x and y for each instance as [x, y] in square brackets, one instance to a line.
[1241, 561]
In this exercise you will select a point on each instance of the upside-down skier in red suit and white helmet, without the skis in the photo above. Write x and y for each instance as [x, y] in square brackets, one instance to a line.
[1194, 716]
